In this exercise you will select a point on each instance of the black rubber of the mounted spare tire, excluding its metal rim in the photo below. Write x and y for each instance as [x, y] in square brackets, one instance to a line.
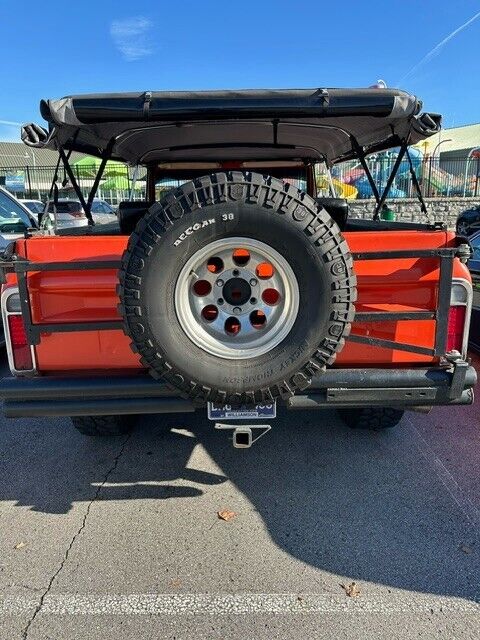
[237, 204]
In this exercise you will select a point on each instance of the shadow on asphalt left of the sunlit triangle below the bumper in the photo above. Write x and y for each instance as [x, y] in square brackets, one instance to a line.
[48, 467]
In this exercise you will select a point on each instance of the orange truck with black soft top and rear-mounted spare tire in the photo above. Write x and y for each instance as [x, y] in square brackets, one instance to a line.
[233, 288]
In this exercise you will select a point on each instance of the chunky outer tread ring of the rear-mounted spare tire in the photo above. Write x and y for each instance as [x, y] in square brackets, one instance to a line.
[278, 198]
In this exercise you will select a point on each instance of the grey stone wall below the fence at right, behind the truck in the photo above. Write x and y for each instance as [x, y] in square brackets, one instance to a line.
[408, 209]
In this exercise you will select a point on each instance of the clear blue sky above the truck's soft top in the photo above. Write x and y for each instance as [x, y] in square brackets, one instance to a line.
[57, 48]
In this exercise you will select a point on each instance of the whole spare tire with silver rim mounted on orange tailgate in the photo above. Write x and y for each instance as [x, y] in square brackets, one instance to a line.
[237, 288]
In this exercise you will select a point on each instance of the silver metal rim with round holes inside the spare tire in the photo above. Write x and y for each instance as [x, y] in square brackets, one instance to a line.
[237, 298]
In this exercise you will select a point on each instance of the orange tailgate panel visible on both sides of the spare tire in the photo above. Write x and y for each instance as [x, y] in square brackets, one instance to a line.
[404, 281]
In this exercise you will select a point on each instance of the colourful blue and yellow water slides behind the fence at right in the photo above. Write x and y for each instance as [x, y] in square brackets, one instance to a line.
[350, 181]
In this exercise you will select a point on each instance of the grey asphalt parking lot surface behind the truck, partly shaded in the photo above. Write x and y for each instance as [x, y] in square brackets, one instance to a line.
[120, 538]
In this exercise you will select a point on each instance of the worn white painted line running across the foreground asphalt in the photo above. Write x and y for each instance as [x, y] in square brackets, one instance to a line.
[236, 604]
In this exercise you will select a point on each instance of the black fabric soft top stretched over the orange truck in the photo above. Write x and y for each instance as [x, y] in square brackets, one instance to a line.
[163, 126]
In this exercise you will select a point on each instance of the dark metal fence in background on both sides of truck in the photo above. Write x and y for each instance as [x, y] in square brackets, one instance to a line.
[452, 177]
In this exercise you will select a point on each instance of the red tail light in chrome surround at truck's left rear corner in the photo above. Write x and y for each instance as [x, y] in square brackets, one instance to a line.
[20, 353]
